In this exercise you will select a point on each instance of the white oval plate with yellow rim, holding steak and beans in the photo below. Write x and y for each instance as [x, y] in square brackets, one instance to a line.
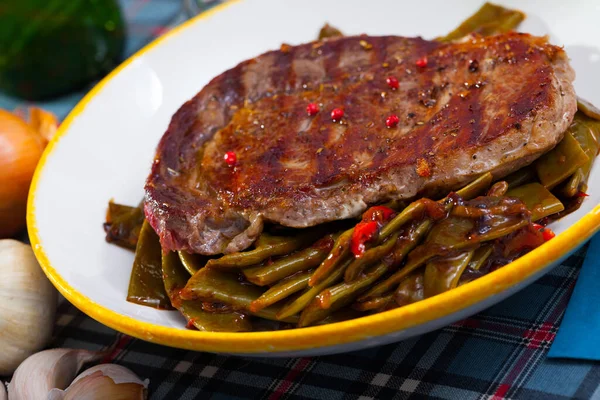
[105, 147]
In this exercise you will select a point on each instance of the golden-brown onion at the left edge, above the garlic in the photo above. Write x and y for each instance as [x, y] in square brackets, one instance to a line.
[20, 150]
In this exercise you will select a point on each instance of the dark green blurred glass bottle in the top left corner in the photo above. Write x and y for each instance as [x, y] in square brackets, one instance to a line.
[52, 47]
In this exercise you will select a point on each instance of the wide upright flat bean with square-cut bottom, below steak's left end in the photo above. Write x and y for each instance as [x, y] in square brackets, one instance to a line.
[146, 283]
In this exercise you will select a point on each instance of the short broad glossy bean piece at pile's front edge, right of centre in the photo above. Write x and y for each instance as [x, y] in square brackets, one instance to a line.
[442, 274]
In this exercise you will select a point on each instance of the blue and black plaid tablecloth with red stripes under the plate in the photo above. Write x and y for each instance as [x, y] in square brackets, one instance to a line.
[497, 354]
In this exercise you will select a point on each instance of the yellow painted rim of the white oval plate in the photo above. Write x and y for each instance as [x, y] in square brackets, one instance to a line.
[295, 340]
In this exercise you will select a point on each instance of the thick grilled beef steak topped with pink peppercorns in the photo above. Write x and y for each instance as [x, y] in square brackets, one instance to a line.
[484, 104]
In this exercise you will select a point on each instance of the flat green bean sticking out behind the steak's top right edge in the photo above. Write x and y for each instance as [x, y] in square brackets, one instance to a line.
[489, 20]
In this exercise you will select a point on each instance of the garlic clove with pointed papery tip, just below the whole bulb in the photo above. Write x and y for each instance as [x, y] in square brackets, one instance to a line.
[46, 370]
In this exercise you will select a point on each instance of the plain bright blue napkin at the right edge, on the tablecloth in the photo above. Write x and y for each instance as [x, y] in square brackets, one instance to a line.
[579, 332]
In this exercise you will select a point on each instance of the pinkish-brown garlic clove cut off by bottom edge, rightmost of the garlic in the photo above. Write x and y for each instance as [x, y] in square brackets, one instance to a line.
[105, 381]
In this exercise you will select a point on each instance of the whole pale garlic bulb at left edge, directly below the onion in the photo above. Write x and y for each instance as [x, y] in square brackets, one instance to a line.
[27, 305]
